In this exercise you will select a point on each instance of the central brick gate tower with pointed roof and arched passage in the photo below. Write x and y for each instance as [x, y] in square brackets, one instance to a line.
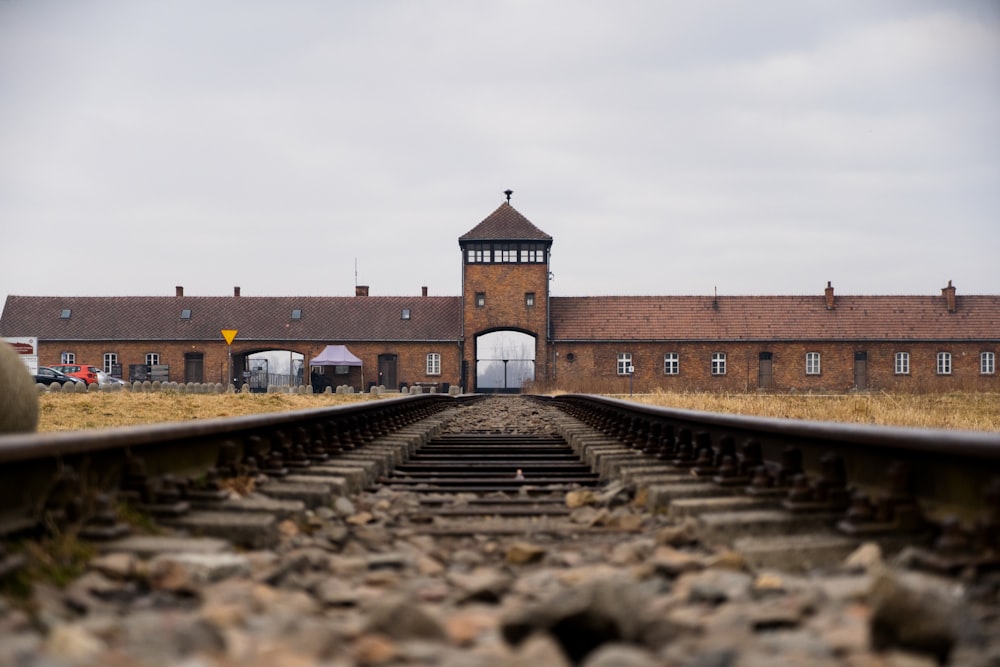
[505, 290]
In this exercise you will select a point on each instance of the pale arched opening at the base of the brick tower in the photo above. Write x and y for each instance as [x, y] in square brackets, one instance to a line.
[505, 361]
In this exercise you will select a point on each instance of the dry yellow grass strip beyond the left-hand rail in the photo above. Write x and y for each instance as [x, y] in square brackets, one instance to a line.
[74, 412]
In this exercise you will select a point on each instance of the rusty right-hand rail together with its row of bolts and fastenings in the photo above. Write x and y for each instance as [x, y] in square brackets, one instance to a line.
[882, 479]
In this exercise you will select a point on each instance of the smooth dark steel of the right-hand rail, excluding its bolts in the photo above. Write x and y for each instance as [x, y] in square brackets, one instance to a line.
[949, 471]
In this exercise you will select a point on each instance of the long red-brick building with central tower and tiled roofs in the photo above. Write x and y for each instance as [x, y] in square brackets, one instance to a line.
[602, 343]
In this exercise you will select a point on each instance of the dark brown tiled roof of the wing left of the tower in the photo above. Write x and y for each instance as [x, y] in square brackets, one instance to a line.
[256, 318]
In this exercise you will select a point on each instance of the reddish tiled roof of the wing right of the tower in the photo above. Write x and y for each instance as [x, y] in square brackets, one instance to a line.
[774, 318]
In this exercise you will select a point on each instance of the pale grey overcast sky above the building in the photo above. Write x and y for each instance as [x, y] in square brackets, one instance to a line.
[296, 148]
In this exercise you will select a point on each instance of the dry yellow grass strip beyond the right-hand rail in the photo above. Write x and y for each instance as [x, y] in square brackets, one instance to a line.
[968, 411]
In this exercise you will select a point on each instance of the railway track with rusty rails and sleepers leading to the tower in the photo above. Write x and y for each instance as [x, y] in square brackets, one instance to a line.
[466, 472]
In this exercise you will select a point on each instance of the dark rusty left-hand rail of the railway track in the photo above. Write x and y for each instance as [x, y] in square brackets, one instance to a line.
[39, 471]
